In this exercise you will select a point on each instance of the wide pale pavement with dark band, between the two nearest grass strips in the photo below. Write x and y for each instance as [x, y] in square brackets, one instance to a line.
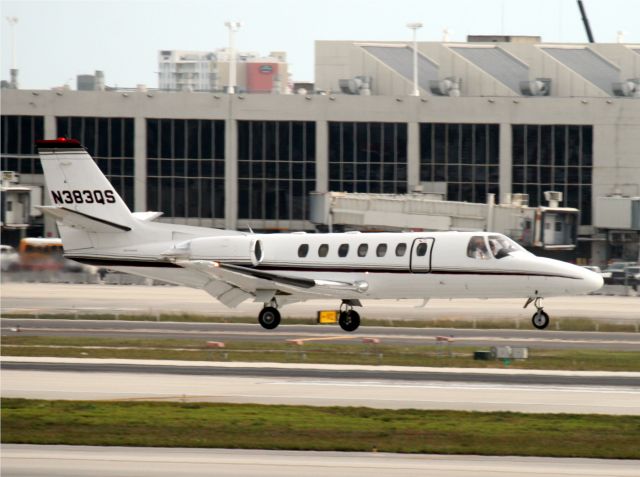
[323, 385]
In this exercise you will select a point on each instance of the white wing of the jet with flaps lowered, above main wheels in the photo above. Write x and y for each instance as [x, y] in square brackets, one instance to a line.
[233, 284]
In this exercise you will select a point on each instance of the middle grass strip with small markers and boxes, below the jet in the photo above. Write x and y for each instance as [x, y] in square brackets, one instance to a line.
[313, 352]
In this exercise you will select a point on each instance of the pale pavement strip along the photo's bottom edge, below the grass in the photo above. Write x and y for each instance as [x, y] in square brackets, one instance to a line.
[75, 461]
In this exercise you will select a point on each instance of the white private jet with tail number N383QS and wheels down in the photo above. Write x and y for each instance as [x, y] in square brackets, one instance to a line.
[97, 228]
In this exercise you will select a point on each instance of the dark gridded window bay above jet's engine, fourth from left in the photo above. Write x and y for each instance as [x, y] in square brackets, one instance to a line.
[276, 169]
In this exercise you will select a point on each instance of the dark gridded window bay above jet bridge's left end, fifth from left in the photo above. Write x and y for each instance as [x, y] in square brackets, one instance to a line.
[368, 157]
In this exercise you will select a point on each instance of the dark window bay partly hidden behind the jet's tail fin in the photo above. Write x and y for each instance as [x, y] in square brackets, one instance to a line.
[110, 142]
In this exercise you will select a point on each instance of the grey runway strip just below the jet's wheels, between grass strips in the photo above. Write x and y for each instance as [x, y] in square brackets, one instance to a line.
[253, 332]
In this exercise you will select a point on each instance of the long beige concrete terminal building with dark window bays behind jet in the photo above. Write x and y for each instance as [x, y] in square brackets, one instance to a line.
[501, 118]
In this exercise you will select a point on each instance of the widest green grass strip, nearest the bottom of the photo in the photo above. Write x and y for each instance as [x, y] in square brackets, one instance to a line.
[162, 424]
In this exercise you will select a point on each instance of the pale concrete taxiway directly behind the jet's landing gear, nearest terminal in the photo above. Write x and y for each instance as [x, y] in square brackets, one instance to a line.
[56, 297]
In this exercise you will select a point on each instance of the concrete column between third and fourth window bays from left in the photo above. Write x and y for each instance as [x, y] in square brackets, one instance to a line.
[230, 170]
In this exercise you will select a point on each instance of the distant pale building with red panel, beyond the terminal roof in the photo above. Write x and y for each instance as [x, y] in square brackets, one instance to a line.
[209, 71]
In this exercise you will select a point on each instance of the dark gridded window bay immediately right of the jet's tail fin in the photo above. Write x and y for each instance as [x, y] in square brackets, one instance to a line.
[185, 167]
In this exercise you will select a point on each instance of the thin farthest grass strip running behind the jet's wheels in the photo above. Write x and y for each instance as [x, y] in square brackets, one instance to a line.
[455, 322]
